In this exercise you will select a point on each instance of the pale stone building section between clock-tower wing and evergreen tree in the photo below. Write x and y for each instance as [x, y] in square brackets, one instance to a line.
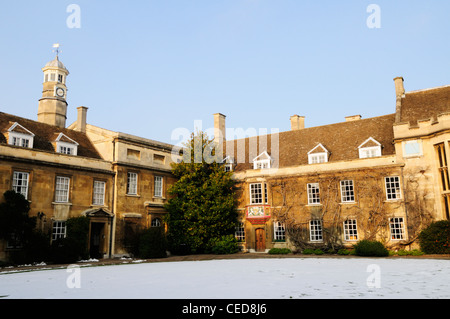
[142, 174]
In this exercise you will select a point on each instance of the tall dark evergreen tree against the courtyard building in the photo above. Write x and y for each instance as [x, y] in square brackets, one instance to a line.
[202, 207]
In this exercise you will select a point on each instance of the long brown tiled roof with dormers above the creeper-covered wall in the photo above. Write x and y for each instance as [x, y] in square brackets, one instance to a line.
[340, 139]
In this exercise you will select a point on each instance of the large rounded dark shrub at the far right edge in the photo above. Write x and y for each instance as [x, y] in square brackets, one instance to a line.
[435, 239]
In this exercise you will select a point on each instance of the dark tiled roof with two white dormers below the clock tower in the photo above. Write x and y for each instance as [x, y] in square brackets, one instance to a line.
[46, 134]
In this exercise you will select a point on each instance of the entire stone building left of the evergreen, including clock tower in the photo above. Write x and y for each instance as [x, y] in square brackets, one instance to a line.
[118, 180]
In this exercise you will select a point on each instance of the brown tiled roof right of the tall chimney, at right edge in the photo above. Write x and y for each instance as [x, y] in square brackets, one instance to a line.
[425, 104]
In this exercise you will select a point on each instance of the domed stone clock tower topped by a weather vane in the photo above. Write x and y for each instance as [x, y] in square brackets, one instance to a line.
[53, 105]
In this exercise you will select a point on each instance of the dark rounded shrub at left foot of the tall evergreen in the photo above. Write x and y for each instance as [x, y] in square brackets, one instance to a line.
[152, 243]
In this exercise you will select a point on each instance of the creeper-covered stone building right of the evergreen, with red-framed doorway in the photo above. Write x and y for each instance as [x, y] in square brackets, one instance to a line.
[329, 186]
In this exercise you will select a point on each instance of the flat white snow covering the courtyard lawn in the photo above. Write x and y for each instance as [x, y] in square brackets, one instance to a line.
[273, 278]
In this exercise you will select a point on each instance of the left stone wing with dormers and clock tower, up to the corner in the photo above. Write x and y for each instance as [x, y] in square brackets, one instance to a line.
[58, 170]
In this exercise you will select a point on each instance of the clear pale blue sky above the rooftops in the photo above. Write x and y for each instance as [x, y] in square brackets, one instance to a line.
[149, 67]
